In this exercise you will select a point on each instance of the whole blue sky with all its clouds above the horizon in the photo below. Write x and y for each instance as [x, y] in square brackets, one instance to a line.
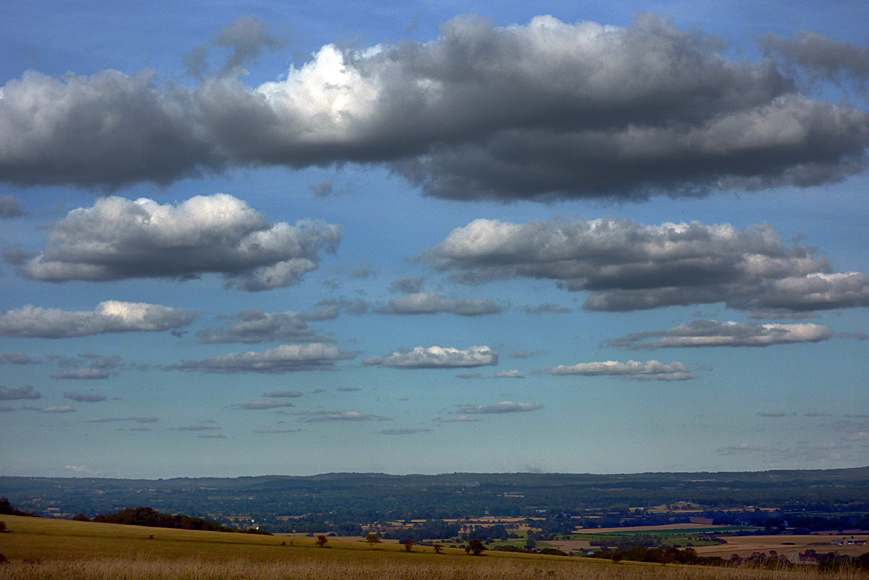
[432, 237]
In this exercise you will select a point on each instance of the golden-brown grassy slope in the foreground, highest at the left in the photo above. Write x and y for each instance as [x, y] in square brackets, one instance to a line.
[49, 549]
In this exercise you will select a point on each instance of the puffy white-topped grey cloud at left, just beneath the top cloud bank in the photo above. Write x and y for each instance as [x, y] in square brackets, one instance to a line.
[117, 239]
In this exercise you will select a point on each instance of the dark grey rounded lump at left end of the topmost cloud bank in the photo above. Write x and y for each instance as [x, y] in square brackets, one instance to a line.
[108, 130]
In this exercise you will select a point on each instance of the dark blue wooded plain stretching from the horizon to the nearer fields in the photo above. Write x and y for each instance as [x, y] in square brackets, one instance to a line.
[342, 502]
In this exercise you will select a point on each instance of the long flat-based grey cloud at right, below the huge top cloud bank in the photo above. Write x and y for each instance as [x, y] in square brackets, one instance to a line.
[629, 266]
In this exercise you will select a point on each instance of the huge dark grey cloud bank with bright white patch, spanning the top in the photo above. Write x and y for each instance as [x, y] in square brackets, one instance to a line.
[543, 111]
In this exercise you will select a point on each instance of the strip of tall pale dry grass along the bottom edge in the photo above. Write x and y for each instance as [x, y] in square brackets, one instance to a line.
[470, 569]
